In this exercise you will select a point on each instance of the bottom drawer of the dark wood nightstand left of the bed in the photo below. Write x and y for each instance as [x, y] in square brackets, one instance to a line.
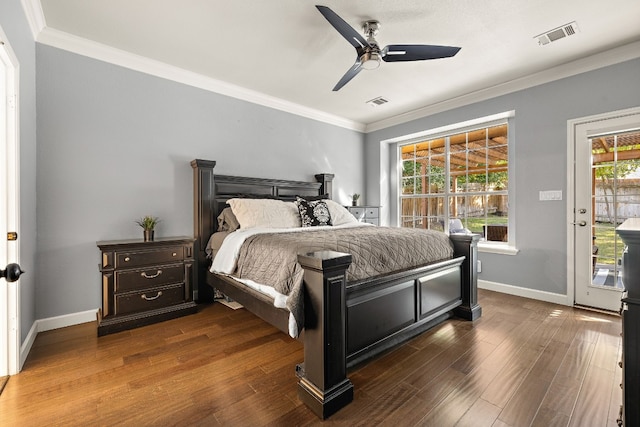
[135, 302]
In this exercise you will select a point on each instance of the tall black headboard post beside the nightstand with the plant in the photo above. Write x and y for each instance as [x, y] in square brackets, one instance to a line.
[203, 226]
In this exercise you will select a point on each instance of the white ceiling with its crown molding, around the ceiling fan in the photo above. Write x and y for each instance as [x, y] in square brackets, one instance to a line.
[285, 53]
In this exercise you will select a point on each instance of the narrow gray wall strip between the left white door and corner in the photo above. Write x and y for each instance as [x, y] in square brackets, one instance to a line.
[15, 26]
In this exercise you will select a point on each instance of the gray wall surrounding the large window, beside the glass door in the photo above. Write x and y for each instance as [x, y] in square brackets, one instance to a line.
[539, 139]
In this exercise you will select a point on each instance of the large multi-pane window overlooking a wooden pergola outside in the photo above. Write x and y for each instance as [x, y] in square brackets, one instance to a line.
[458, 175]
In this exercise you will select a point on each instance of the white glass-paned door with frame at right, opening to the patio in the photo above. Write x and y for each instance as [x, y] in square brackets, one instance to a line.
[606, 192]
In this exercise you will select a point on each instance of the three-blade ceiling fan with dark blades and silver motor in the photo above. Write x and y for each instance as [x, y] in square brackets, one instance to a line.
[370, 54]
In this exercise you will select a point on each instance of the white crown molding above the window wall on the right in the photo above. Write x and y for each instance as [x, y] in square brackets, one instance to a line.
[600, 60]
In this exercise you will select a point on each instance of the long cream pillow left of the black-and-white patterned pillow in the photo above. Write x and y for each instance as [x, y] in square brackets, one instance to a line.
[265, 213]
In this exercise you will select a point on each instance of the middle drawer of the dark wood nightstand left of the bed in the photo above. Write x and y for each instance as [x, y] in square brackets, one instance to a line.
[139, 279]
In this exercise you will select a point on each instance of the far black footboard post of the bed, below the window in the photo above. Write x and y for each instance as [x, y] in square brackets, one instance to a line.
[467, 245]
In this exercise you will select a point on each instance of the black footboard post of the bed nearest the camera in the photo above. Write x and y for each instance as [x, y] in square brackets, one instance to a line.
[323, 385]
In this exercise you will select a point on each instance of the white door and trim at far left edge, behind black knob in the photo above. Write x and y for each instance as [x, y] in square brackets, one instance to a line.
[9, 208]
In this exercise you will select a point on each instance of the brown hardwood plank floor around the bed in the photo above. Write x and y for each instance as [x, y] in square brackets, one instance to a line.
[524, 363]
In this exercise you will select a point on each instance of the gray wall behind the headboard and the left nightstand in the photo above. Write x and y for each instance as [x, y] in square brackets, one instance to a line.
[115, 144]
